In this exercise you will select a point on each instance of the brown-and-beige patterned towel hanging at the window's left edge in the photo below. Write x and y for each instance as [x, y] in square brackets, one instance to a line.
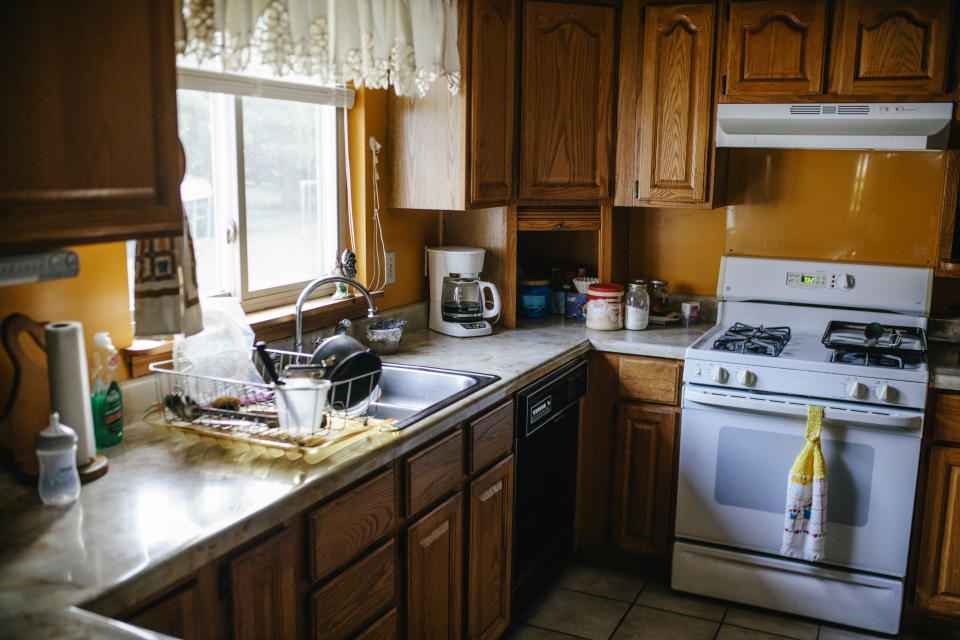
[165, 295]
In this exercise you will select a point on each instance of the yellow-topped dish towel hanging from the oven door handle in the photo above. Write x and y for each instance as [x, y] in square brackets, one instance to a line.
[806, 514]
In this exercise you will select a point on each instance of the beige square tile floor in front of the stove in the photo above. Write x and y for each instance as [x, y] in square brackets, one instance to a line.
[598, 603]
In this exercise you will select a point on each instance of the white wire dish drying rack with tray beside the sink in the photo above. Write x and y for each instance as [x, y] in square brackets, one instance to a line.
[242, 415]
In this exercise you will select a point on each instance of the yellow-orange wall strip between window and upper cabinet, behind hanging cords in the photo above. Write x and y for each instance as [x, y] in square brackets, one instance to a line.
[405, 232]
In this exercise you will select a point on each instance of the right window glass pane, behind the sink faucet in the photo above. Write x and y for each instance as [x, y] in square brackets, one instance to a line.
[290, 186]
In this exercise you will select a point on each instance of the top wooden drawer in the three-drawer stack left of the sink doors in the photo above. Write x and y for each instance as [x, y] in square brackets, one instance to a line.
[341, 529]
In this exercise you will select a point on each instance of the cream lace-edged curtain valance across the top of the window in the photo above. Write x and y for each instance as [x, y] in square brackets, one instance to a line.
[408, 44]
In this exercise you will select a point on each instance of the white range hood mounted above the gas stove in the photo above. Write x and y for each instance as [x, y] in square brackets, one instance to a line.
[909, 126]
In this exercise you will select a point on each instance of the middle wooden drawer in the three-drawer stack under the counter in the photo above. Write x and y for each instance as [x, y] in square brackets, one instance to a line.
[344, 605]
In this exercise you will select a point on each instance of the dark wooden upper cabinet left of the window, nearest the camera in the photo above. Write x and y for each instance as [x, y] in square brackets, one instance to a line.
[89, 133]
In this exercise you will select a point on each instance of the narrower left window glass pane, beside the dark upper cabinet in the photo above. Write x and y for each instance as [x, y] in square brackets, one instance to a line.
[206, 199]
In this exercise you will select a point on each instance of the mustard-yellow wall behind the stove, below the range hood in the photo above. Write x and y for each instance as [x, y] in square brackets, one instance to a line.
[855, 206]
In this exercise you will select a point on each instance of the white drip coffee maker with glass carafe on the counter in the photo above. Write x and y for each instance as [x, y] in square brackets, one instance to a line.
[458, 298]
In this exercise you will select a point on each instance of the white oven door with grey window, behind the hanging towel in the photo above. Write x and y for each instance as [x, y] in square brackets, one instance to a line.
[736, 450]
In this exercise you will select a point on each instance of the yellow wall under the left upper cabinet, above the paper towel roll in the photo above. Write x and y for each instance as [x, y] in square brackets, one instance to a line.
[97, 297]
